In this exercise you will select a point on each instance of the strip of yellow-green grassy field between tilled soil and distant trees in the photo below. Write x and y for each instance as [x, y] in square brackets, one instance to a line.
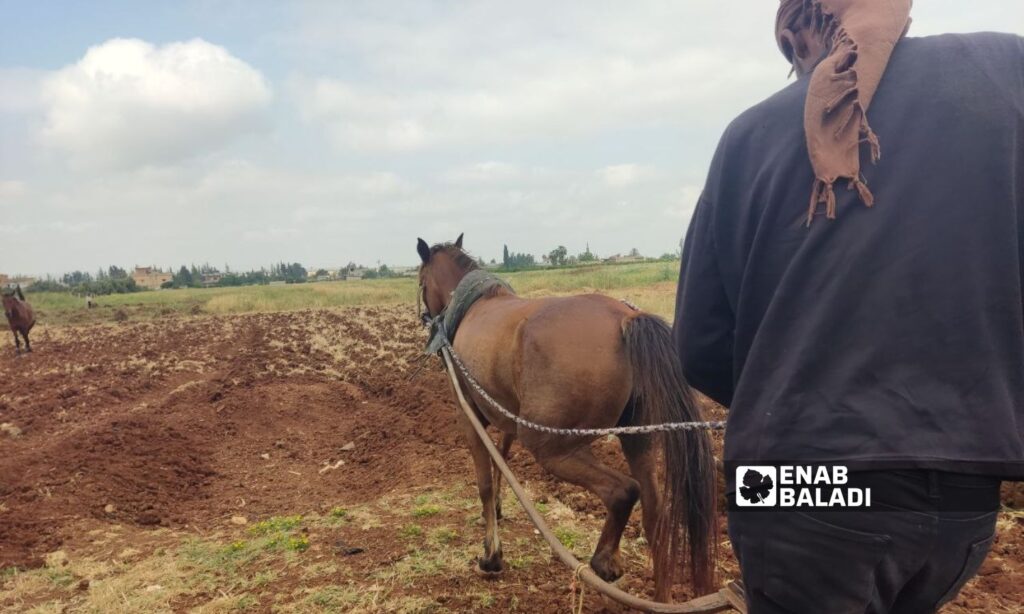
[652, 286]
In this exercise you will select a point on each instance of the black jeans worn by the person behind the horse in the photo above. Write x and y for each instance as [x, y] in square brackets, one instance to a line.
[926, 535]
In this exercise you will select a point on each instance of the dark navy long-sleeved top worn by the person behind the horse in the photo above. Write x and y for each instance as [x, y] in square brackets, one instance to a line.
[894, 334]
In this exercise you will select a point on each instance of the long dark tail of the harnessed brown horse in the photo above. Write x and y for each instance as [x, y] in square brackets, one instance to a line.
[689, 522]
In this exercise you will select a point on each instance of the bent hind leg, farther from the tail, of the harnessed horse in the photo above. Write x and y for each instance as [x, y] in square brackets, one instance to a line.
[617, 492]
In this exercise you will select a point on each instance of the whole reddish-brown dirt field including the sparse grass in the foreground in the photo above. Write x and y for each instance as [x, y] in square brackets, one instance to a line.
[286, 463]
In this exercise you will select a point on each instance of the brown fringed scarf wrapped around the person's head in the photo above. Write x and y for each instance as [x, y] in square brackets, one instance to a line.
[863, 35]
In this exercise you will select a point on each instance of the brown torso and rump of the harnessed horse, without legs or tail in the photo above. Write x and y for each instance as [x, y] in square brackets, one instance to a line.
[563, 361]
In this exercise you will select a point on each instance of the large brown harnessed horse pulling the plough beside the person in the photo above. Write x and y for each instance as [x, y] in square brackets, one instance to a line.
[585, 362]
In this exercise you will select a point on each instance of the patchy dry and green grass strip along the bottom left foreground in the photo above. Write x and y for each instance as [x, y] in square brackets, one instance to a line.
[262, 567]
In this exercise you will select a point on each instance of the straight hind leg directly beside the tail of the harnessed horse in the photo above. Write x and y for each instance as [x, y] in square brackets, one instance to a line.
[639, 451]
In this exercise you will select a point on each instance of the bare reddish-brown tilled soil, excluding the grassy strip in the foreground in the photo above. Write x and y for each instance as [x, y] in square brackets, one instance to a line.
[184, 423]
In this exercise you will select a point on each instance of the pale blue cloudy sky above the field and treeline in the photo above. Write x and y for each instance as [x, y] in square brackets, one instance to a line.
[250, 133]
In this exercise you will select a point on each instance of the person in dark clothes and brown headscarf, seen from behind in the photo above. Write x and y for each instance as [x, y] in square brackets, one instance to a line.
[865, 312]
